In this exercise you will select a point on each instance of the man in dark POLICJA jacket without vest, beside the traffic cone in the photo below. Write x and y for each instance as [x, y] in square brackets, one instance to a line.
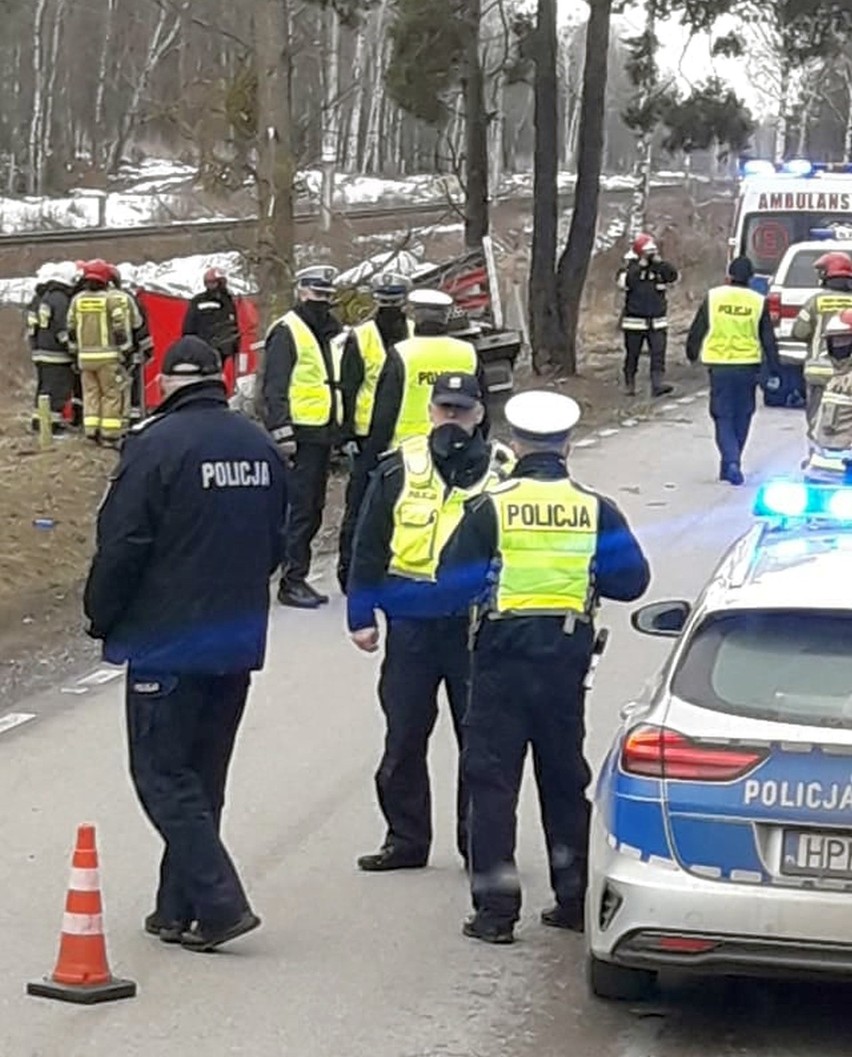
[189, 535]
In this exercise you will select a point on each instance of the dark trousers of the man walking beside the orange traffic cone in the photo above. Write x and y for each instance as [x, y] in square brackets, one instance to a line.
[181, 731]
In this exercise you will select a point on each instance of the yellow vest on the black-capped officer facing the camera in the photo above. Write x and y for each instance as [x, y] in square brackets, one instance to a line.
[427, 514]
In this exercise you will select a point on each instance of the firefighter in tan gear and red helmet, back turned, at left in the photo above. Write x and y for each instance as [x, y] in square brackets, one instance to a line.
[104, 325]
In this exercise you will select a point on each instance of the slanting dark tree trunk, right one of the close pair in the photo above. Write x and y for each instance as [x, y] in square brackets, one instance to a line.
[575, 263]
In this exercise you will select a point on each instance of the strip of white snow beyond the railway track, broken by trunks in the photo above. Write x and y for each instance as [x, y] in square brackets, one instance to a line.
[159, 192]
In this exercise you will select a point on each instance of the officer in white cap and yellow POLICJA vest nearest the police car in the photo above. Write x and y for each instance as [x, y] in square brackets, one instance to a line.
[535, 553]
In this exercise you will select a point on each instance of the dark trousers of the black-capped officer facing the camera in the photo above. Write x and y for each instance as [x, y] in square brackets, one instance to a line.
[419, 657]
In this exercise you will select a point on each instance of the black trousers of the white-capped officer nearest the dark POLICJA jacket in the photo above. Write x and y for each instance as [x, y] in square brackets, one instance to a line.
[308, 483]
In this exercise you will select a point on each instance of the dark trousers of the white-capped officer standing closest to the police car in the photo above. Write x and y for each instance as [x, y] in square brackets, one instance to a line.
[516, 702]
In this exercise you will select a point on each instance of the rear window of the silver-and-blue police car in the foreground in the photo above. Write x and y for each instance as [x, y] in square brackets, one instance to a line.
[789, 666]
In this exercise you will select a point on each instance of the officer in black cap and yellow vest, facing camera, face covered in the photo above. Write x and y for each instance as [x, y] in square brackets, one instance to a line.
[415, 502]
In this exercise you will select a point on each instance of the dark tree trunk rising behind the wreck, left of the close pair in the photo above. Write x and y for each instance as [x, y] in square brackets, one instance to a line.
[476, 129]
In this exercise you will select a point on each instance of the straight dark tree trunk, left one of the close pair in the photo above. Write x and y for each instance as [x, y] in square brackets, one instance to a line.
[546, 333]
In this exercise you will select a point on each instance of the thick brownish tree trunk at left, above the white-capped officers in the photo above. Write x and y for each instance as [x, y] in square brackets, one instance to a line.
[275, 233]
